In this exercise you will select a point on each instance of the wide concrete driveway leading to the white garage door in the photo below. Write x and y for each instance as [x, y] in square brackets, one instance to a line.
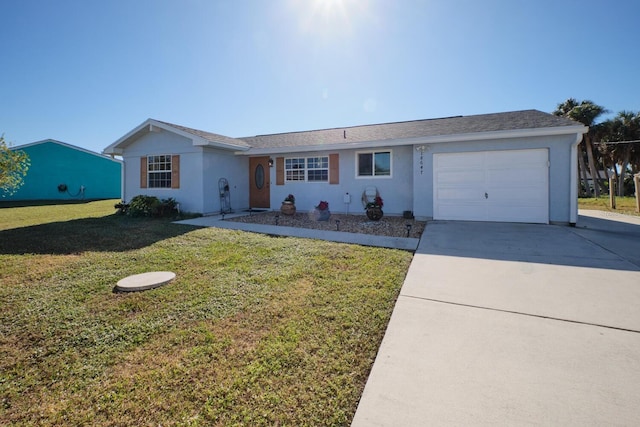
[514, 324]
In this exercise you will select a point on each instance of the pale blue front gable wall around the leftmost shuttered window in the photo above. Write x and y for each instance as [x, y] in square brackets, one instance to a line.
[159, 142]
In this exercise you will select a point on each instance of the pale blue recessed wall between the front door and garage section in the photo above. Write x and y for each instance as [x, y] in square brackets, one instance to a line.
[396, 191]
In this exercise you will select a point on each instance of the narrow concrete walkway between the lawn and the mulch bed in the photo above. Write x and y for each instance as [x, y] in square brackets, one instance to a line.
[409, 244]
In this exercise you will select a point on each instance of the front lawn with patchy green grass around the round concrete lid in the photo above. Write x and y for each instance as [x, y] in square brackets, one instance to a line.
[255, 330]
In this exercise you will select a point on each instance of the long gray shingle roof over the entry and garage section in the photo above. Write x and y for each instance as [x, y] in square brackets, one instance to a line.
[527, 119]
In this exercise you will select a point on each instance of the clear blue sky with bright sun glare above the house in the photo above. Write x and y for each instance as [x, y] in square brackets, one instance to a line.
[86, 72]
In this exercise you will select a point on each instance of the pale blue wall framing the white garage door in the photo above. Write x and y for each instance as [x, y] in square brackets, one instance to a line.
[559, 170]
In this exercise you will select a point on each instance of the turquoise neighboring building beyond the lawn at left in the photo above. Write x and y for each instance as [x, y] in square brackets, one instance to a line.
[61, 171]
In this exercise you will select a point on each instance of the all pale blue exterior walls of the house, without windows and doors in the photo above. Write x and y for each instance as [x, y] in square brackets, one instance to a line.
[409, 188]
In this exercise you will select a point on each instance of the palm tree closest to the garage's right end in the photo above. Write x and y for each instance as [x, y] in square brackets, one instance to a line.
[585, 112]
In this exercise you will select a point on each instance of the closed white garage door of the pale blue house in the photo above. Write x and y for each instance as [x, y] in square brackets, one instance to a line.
[509, 186]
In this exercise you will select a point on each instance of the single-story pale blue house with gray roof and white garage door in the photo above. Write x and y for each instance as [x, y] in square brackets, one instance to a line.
[516, 166]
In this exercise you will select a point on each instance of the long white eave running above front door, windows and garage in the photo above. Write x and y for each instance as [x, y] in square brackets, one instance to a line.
[437, 139]
